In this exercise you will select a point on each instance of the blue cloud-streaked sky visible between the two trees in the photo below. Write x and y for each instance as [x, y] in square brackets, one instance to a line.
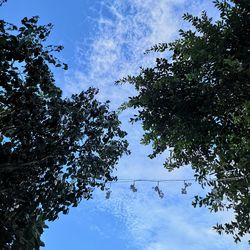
[104, 41]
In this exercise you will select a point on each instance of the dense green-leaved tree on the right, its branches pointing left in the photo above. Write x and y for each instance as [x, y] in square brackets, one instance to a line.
[197, 102]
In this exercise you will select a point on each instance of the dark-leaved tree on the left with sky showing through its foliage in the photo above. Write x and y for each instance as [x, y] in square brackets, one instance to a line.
[54, 151]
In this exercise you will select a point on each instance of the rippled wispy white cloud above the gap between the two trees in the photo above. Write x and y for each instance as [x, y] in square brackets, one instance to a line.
[123, 31]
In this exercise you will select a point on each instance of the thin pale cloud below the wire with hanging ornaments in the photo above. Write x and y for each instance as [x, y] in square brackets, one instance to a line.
[165, 224]
